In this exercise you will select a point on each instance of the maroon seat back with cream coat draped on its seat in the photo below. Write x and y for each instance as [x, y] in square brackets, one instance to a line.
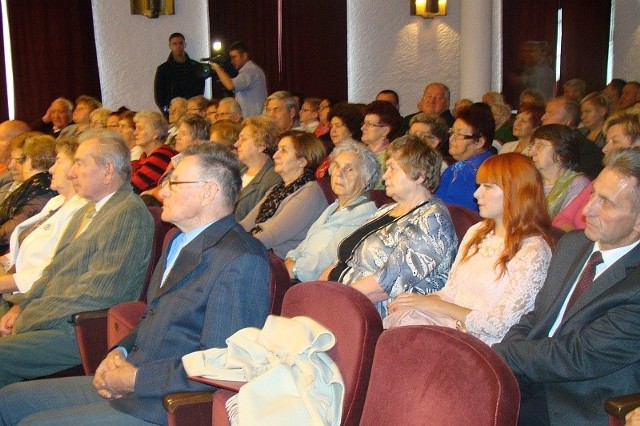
[356, 324]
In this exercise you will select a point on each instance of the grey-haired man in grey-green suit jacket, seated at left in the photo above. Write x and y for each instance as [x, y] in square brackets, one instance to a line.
[100, 261]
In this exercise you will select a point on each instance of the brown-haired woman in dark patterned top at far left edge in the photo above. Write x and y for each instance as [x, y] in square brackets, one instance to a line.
[30, 160]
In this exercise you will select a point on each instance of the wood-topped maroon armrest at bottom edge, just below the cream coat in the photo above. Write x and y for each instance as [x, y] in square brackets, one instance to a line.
[188, 408]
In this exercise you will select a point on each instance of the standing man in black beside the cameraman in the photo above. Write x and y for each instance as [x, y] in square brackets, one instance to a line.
[178, 77]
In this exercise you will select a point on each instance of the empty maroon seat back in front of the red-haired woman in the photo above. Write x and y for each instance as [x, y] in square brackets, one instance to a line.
[439, 376]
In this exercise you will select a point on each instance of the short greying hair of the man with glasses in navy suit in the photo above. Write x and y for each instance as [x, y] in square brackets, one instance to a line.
[219, 163]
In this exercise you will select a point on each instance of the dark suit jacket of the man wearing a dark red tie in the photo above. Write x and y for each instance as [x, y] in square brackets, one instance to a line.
[595, 352]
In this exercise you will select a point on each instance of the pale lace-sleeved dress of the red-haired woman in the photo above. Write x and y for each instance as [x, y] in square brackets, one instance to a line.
[496, 303]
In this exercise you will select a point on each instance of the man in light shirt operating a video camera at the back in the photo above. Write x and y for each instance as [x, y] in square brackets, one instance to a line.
[249, 86]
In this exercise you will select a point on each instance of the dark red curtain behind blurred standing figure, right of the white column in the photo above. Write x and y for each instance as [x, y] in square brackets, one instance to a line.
[525, 21]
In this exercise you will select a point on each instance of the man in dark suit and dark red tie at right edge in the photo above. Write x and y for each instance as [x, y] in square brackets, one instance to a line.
[581, 343]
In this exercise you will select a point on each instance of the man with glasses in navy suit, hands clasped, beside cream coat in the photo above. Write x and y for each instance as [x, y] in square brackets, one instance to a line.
[210, 282]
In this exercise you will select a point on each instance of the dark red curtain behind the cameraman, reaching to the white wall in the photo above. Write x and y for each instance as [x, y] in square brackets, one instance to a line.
[313, 55]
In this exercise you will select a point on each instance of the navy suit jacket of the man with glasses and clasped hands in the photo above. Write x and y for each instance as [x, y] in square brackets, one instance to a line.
[218, 285]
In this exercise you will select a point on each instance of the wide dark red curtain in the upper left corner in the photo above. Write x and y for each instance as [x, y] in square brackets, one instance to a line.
[54, 53]
